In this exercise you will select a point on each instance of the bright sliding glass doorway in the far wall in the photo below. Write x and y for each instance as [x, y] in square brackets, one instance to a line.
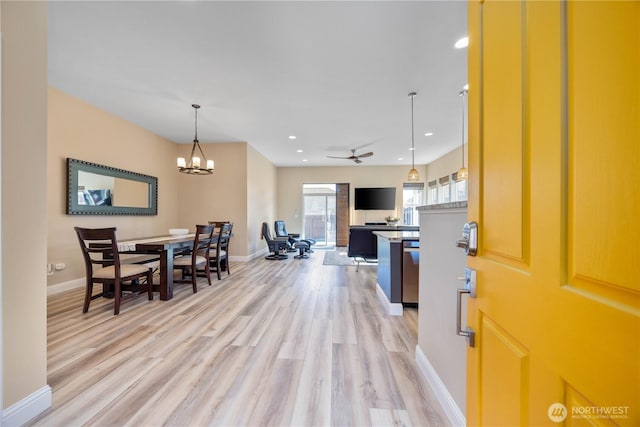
[319, 214]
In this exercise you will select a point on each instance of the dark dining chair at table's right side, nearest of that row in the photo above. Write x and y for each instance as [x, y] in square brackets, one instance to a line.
[189, 264]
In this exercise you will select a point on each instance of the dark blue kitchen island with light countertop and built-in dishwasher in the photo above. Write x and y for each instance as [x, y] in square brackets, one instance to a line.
[395, 249]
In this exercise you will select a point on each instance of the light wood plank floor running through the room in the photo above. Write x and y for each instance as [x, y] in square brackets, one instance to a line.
[276, 343]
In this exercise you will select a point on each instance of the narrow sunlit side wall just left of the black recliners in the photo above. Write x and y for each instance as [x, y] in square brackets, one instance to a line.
[262, 177]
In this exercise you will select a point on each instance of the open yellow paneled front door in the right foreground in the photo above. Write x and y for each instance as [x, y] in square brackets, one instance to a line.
[554, 160]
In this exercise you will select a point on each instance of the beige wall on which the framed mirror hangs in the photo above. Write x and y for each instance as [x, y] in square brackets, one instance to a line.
[82, 131]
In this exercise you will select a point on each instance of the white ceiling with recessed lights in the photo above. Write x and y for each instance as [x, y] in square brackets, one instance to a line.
[334, 74]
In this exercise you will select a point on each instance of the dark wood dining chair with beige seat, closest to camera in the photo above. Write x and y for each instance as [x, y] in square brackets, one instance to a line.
[102, 263]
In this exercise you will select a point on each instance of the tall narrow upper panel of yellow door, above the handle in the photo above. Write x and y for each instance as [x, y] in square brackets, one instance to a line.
[503, 185]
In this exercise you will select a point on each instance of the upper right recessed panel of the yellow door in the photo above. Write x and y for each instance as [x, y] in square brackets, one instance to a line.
[602, 41]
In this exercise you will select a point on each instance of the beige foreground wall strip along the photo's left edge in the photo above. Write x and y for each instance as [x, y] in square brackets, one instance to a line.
[24, 199]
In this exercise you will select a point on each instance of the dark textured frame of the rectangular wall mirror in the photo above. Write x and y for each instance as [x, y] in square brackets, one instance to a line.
[73, 208]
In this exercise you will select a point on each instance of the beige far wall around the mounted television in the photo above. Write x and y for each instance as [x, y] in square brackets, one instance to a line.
[290, 181]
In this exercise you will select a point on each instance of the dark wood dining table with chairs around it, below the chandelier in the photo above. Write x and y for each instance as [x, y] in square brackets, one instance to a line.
[165, 248]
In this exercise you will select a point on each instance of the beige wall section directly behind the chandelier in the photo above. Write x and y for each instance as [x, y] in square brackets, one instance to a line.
[218, 197]
